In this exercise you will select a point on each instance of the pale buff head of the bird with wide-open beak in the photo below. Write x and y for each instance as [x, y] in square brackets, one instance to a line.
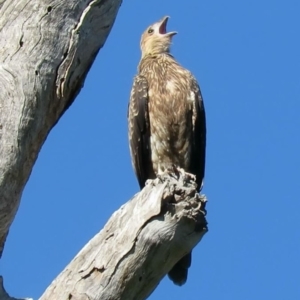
[156, 40]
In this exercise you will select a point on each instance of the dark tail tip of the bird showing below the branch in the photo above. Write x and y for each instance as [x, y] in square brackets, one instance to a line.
[179, 272]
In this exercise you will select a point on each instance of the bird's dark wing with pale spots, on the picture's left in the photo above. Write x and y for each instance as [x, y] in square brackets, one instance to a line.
[139, 129]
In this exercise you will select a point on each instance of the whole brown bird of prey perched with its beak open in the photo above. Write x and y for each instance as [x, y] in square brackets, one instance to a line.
[166, 119]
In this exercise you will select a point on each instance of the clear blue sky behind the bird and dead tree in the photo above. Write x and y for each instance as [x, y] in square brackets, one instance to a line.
[245, 55]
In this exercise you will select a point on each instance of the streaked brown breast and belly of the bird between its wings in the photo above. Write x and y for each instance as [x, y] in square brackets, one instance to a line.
[170, 114]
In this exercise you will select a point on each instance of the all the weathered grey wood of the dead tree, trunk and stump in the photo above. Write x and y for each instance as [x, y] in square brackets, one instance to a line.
[46, 49]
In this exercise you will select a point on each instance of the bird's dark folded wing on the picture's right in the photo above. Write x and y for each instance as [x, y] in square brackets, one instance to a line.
[199, 134]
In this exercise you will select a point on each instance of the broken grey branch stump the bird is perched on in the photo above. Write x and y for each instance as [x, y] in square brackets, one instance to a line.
[138, 246]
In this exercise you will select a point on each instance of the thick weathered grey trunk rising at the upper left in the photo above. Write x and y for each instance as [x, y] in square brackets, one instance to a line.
[46, 50]
